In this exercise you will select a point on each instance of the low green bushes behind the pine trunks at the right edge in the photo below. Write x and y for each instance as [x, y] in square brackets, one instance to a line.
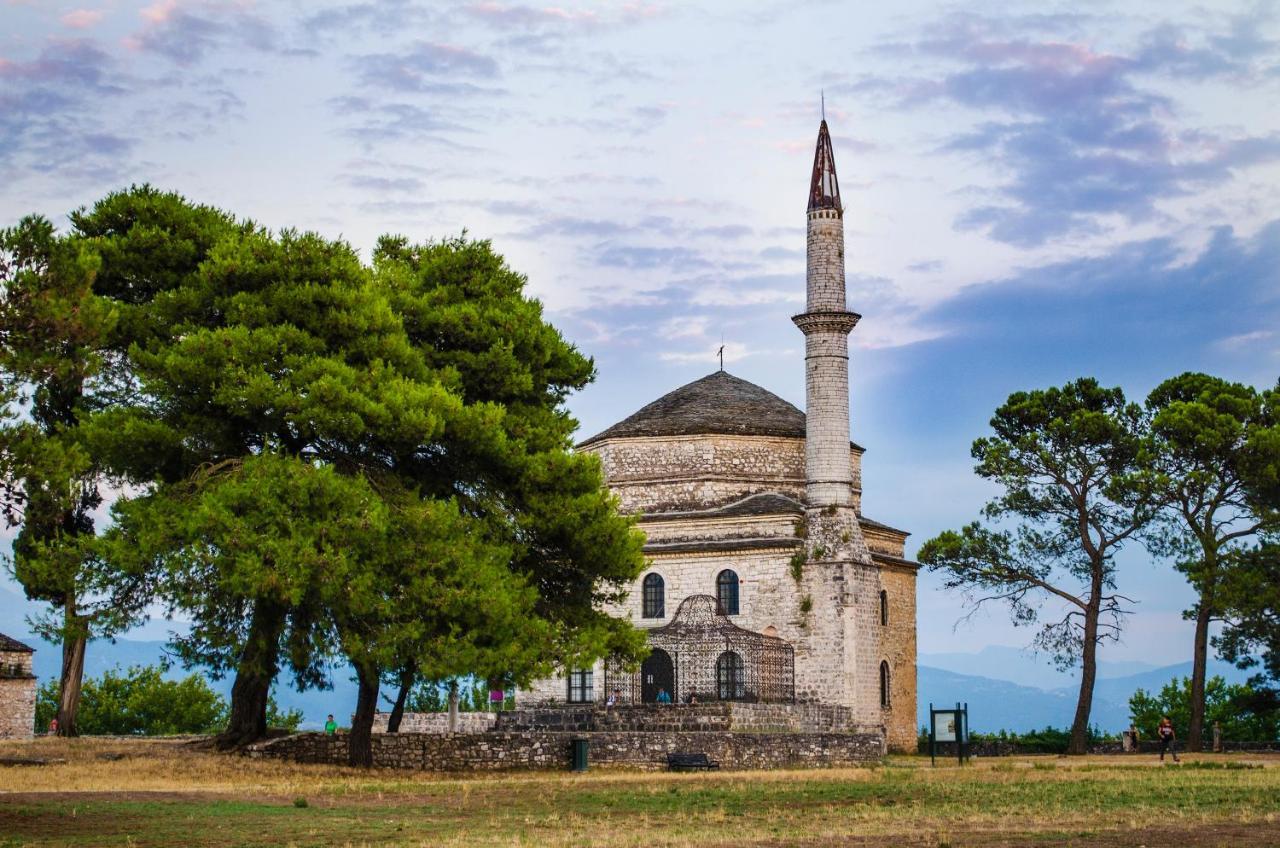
[1245, 714]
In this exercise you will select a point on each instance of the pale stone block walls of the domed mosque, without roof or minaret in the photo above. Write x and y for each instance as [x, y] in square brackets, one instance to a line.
[830, 613]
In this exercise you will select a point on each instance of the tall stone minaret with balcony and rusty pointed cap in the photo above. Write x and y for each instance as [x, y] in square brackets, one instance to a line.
[838, 662]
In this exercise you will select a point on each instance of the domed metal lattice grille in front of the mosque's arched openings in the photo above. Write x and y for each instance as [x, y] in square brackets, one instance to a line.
[696, 640]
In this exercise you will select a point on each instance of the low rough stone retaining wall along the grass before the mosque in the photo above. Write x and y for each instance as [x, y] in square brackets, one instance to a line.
[519, 751]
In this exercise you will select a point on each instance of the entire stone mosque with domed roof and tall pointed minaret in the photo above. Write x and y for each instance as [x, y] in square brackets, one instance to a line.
[765, 581]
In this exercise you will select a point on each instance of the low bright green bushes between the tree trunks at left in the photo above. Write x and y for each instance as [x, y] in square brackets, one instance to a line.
[140, 703]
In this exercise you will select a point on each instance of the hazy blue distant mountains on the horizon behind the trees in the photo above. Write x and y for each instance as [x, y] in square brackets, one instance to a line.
[1007, 689]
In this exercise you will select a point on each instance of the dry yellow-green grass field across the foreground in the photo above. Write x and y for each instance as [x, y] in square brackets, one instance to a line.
[164, 794]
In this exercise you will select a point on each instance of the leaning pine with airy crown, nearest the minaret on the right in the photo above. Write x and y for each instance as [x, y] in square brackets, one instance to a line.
[1068, 462]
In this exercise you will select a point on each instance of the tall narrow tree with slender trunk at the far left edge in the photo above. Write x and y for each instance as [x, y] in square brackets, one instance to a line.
[53, 331]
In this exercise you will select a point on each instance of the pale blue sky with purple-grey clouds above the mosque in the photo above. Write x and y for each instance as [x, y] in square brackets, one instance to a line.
[1035, 194]
